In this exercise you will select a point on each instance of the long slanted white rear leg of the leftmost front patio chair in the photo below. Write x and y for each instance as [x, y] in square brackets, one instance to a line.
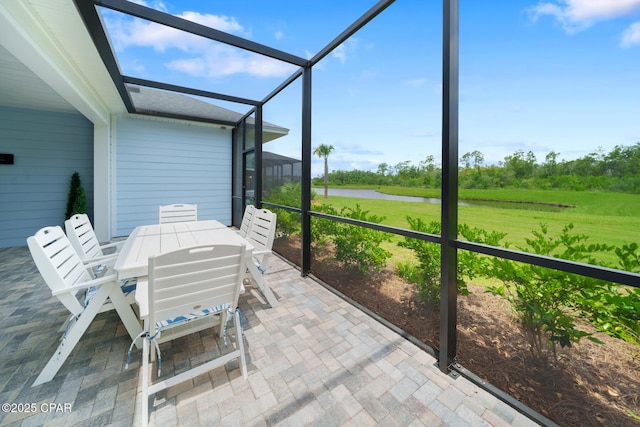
[73, 335]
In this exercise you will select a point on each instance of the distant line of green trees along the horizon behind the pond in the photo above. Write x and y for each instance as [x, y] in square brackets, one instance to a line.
[618, 170]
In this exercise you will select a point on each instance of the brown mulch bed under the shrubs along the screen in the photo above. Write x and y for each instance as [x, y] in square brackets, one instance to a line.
[589, 385]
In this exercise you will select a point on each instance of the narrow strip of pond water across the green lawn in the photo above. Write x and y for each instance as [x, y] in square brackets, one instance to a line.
[373, 194]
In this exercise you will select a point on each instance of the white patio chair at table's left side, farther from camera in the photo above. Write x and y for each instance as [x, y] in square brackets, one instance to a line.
[84, 240]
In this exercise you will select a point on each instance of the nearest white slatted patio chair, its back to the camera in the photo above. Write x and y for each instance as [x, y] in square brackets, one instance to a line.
[189, 290]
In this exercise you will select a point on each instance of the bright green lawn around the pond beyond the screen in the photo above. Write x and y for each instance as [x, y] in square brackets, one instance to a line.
[609, 218]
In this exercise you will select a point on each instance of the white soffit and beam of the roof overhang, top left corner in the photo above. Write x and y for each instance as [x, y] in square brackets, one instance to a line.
[53, 57]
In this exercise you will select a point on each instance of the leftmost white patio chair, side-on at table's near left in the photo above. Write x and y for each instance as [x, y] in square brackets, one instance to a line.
[85, 297]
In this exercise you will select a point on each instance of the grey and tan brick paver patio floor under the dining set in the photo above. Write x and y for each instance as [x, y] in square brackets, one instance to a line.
[314, 360]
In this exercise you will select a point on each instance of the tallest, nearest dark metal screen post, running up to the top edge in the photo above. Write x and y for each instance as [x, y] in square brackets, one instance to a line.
[449, 213]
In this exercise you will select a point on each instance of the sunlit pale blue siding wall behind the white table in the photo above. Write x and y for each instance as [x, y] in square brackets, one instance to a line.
[159, 162]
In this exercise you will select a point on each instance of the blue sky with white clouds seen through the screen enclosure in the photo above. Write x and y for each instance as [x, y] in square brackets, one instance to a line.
[560, 75]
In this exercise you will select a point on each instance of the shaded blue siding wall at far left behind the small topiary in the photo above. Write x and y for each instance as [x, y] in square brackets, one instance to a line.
[47, 147]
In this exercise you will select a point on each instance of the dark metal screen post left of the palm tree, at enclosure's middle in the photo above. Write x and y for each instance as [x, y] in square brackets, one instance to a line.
[306, 171]
